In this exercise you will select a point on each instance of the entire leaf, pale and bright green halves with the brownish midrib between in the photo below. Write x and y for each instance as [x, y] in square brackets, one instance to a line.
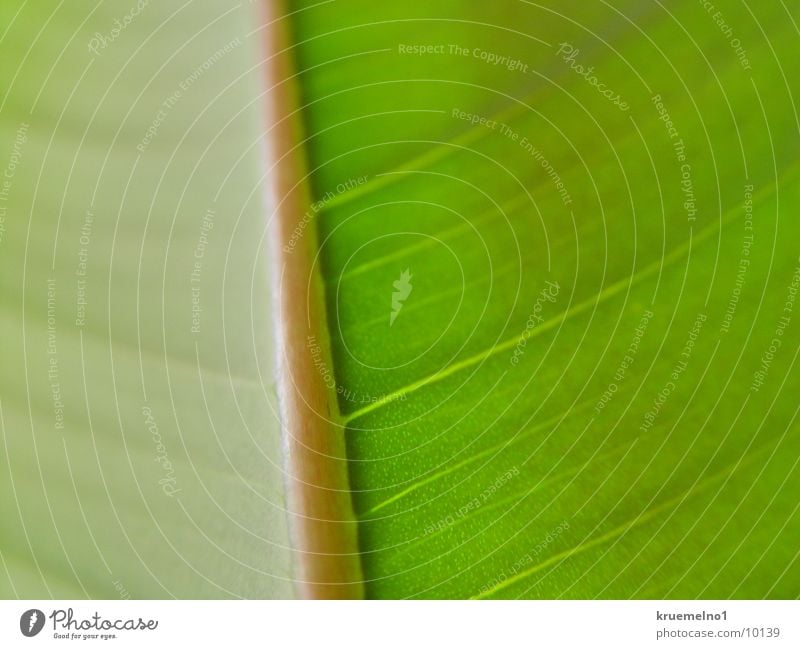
[558, 250]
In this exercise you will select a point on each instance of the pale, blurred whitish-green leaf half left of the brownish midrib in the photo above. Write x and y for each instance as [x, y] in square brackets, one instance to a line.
[141, 457]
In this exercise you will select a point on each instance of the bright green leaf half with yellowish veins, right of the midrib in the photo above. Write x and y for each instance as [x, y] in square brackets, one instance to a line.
[589, 388]
